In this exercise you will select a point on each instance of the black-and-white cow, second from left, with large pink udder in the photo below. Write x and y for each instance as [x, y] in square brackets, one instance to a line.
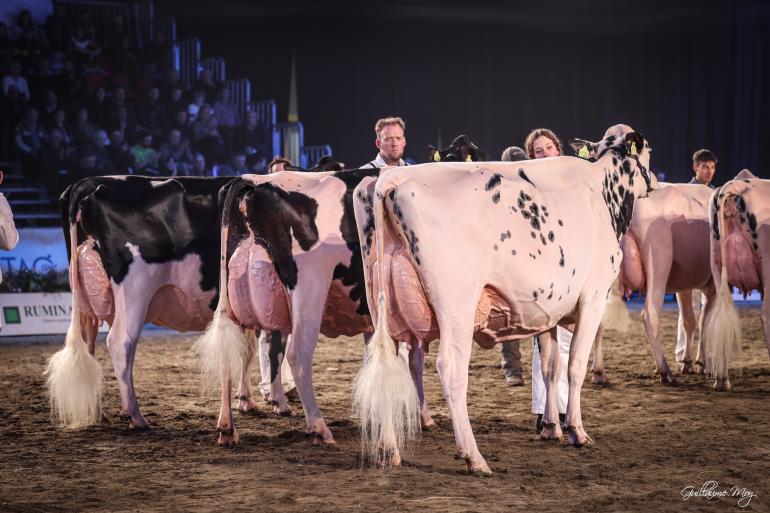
[291, 263]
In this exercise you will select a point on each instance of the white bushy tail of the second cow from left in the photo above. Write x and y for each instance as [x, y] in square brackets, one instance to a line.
[224, 348]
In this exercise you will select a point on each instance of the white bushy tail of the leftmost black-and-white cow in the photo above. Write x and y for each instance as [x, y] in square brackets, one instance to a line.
[73, 375]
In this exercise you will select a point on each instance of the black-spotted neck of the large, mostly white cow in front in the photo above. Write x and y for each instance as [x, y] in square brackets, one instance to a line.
[619, 172]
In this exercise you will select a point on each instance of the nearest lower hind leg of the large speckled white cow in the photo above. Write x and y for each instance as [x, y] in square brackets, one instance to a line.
[454, 355]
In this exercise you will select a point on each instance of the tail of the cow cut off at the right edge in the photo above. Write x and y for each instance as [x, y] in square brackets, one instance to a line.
[721, 324]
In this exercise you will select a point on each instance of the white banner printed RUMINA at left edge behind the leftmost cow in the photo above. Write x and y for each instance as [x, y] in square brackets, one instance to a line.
[37, 313]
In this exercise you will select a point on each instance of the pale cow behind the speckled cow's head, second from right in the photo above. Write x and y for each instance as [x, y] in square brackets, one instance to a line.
[666, 249]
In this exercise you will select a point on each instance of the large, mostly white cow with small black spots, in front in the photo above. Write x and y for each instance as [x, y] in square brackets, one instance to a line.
[505, 248]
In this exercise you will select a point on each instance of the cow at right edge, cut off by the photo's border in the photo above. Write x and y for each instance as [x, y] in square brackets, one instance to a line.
[740, 257]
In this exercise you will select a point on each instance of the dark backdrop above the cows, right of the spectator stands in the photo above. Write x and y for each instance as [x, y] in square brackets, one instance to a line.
[686, 74]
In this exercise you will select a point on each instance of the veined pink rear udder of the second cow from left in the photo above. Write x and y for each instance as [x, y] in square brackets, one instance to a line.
[257, 297]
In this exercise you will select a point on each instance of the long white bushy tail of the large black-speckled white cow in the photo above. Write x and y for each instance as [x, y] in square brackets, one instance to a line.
[384, 396]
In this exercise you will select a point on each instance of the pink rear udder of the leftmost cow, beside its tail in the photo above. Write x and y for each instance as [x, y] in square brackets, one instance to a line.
[96, 294]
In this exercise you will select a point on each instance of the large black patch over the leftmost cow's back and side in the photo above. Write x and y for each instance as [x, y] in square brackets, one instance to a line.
[166, 218]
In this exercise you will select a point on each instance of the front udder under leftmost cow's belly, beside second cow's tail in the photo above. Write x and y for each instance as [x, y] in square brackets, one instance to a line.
[173, 308]
